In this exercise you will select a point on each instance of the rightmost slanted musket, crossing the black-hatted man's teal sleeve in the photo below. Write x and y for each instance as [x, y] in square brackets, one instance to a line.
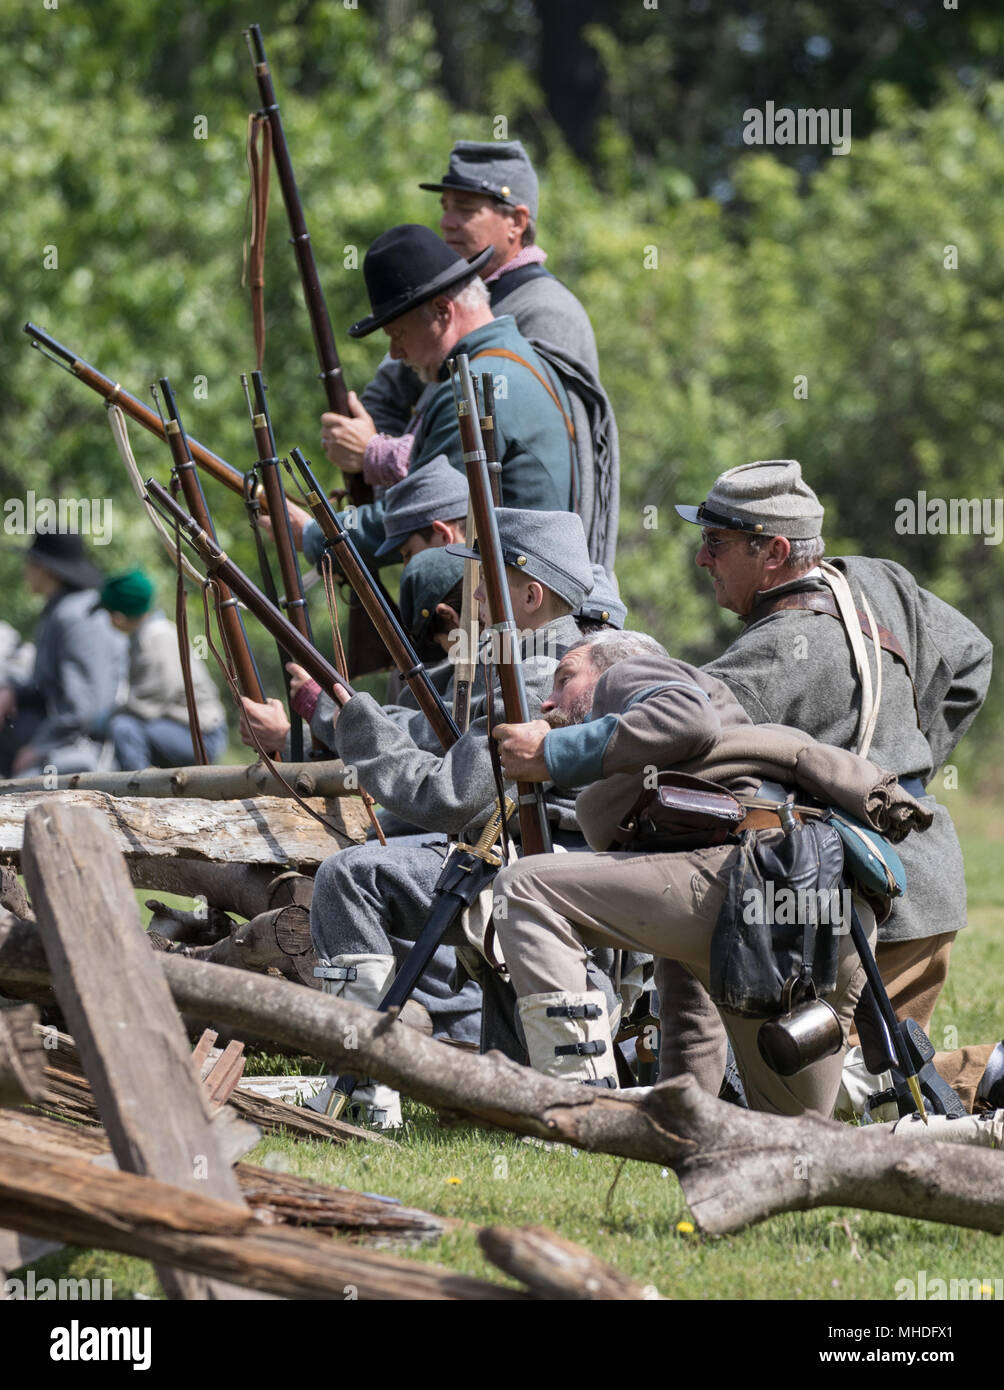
[378, 607]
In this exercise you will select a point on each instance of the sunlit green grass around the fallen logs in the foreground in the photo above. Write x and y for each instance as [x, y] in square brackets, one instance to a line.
[633, 1225]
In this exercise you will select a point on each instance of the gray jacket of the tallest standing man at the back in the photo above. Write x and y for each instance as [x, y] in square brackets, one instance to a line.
[550, 316]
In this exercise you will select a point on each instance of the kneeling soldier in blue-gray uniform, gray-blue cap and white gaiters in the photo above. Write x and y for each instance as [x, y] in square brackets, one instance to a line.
[371, 896]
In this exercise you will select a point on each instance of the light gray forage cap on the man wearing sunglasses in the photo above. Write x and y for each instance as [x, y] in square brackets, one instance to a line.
[767, 498]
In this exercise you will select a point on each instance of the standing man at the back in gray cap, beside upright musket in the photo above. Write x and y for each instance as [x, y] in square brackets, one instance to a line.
[490, 199]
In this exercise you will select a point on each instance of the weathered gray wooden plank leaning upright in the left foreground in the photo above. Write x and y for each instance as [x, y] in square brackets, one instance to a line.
[131, 1042]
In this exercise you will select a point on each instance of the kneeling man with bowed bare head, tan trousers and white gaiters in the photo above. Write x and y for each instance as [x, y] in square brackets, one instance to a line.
[645, 715]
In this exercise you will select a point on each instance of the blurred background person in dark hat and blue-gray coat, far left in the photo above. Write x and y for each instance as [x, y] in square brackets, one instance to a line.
[47, 719]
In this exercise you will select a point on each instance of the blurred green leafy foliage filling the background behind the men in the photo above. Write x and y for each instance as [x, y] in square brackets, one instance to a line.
[706, 311]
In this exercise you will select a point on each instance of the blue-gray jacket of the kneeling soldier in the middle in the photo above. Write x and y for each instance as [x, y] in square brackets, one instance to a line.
[401, 764]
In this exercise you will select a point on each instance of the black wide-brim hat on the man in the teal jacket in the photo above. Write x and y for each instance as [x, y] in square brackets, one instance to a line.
[407, 268]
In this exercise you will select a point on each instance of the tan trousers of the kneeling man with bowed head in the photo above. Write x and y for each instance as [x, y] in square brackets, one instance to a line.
[554, 907]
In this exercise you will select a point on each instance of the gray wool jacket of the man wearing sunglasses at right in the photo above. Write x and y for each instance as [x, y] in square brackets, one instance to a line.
[796, 668]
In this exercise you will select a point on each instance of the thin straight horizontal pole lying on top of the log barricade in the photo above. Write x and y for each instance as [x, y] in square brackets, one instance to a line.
[227, 783]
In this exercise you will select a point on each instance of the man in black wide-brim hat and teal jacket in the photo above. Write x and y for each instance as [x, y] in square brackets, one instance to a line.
[433, 305]
